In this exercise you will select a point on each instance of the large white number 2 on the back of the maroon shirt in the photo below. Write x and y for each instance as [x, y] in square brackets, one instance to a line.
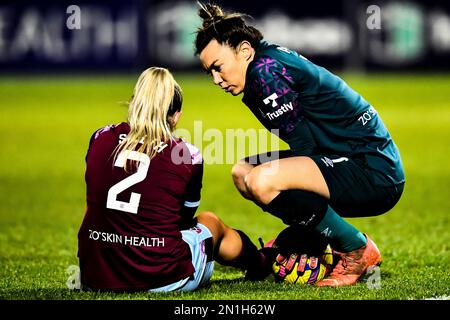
[138, 176]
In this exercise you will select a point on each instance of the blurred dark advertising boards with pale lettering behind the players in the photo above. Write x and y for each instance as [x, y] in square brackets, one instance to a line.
[122, 36]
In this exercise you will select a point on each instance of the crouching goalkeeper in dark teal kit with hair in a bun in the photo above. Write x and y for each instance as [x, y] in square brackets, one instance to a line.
[342, 160]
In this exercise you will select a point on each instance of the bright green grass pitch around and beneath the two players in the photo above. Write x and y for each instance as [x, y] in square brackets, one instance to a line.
[45, 124]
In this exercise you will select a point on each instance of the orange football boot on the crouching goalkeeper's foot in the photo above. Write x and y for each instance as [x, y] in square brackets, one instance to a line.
[352, 265]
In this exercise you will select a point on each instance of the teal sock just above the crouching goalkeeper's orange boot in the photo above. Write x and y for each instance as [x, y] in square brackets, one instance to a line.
[341, 235]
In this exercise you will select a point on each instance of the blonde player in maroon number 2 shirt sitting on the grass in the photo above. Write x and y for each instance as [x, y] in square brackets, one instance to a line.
[143, 188]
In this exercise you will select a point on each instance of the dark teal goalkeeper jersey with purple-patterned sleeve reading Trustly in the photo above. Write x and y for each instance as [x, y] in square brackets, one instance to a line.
[317, 113]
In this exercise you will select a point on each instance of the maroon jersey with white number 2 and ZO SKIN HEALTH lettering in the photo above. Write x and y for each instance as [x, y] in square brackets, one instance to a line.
[130, 237]
